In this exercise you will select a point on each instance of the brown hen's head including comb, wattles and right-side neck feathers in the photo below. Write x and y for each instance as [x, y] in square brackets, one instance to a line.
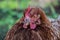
[34, 17]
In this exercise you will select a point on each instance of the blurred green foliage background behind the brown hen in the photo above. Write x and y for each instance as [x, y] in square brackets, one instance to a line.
[12, 10]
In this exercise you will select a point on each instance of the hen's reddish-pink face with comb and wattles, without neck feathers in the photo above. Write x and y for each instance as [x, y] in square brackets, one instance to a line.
[32, 18]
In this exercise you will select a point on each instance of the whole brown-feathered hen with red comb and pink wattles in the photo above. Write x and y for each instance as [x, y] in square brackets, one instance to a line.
[28, 29]
